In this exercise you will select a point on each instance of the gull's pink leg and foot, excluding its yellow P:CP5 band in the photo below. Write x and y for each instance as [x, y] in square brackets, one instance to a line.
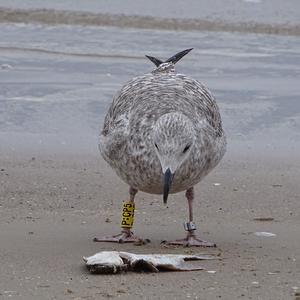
[126, 235]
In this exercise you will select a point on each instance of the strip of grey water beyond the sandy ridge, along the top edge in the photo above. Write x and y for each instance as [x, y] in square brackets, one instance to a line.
[256, 11]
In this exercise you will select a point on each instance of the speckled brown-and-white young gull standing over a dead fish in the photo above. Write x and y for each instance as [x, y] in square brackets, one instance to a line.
[162, 134]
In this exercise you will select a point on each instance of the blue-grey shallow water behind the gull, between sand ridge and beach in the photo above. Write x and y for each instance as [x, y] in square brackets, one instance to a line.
[56, 82]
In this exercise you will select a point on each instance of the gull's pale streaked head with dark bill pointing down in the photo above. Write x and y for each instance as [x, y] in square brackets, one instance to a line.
[173, 139]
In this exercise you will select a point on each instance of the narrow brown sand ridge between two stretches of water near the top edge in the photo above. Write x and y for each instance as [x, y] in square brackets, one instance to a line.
[61, 17]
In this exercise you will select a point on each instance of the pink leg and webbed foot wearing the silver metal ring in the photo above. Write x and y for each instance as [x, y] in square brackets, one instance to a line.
[191, 239]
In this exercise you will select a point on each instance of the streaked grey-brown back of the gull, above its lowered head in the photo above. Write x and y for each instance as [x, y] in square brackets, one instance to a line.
[149, 96]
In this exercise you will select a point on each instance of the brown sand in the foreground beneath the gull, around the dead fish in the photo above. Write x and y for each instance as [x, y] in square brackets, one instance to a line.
[53, 205]
